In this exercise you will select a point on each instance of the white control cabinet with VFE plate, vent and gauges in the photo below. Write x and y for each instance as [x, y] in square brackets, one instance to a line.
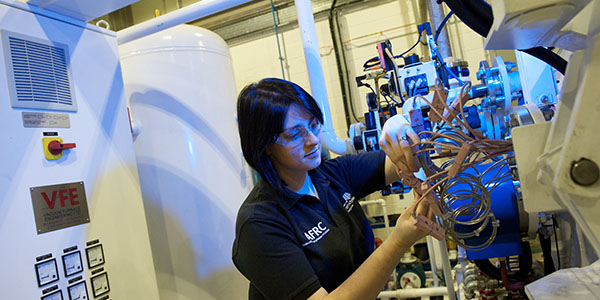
[72, 216]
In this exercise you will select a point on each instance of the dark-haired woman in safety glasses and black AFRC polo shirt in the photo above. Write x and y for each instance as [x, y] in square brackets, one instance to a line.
[301, 233]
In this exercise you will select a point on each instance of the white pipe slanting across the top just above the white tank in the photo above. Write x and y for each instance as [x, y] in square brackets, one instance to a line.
[187, 14]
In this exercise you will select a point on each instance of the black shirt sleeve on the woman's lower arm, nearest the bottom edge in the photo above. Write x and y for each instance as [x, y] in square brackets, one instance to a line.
[267, 254]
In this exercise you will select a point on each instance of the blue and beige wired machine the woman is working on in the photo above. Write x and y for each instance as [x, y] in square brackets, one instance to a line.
[508, 160]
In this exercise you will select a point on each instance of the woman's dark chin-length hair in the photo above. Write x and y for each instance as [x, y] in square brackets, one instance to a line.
[262, 108]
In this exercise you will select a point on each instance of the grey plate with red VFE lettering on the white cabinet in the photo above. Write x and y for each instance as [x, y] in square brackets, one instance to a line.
[59, 206]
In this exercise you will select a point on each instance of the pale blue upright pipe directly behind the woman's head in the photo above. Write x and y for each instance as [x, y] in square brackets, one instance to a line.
[316, 77]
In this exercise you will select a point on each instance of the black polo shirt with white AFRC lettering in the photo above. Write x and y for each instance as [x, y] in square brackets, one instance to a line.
[289, 245]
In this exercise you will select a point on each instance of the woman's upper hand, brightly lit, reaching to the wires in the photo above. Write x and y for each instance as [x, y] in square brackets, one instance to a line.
[396, 139]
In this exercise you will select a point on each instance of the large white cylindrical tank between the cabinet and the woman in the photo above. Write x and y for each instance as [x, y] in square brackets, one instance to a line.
[181, 92]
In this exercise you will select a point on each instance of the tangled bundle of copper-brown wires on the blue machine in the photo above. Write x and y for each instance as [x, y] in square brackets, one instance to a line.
[463, 198]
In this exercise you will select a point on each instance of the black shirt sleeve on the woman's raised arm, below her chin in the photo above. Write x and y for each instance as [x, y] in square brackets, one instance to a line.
[364, 172]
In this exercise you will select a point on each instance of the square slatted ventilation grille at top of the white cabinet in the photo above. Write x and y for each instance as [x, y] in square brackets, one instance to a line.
[38, 73]
